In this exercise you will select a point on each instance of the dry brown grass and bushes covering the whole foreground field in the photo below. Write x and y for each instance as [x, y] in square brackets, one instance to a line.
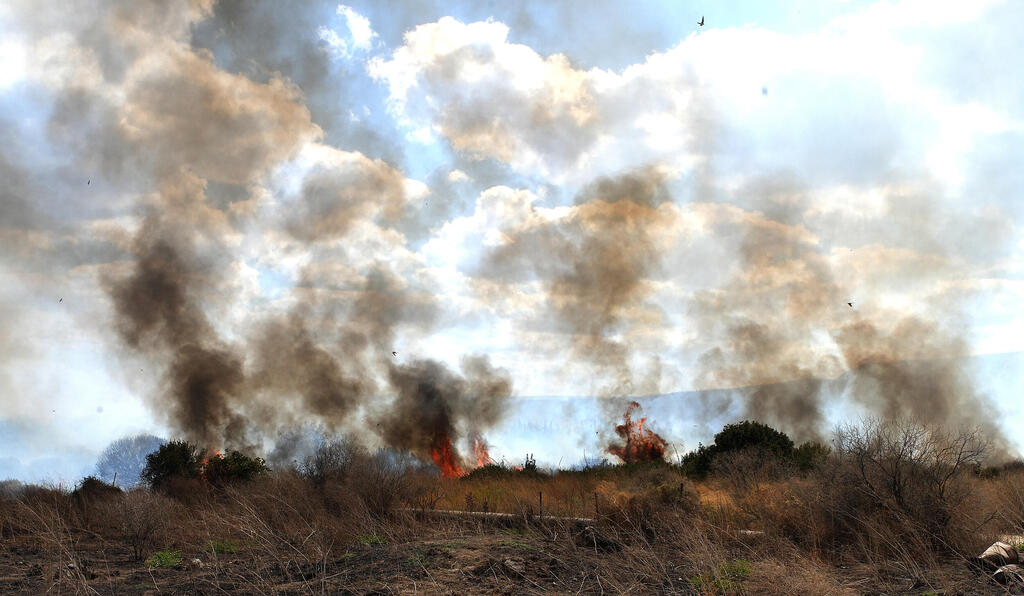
[889, 508]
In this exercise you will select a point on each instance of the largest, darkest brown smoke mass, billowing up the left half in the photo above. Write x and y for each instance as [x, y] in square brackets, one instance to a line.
[186, 124]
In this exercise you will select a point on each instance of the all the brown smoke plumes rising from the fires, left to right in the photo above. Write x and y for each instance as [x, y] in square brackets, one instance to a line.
[158, 115]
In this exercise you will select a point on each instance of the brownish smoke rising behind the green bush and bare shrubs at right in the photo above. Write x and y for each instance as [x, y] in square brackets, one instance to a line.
[785, 326]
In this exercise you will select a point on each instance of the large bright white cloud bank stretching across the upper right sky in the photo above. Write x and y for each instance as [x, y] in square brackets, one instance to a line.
[852, 101]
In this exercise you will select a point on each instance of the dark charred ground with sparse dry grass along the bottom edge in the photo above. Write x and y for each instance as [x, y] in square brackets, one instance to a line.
[474, 560]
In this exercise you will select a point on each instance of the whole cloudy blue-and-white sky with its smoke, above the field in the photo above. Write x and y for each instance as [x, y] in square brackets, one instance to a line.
[221, 219]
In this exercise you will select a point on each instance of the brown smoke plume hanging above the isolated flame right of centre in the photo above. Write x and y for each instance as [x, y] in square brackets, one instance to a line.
[595, 264]
